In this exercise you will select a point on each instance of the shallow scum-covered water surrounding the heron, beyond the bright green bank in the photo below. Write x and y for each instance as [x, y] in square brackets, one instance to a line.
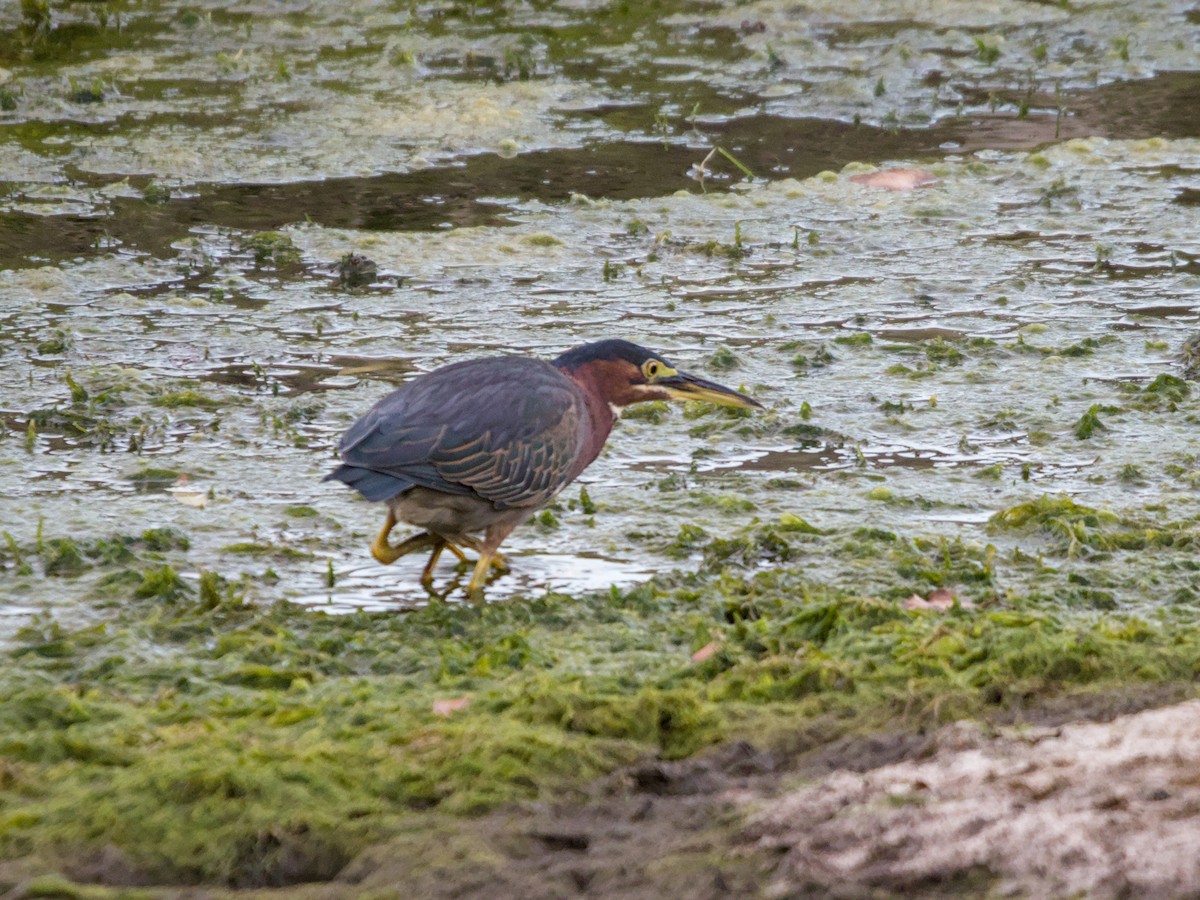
[521, 178]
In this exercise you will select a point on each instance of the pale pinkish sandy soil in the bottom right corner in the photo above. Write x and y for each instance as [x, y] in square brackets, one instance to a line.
[1101, 811]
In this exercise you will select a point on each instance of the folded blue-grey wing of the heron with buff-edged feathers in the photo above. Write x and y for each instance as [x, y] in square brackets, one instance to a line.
[506, 429]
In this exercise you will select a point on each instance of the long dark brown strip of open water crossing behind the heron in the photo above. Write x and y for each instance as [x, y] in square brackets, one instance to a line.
[477, 190]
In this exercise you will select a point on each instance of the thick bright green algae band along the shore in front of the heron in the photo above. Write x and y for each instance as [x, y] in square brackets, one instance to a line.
[248, 746]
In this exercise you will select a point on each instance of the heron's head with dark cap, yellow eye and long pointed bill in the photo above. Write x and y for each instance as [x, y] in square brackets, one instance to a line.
[625, 374]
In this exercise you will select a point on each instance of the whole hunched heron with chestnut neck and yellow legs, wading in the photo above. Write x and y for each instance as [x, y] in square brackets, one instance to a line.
[479, 447]
